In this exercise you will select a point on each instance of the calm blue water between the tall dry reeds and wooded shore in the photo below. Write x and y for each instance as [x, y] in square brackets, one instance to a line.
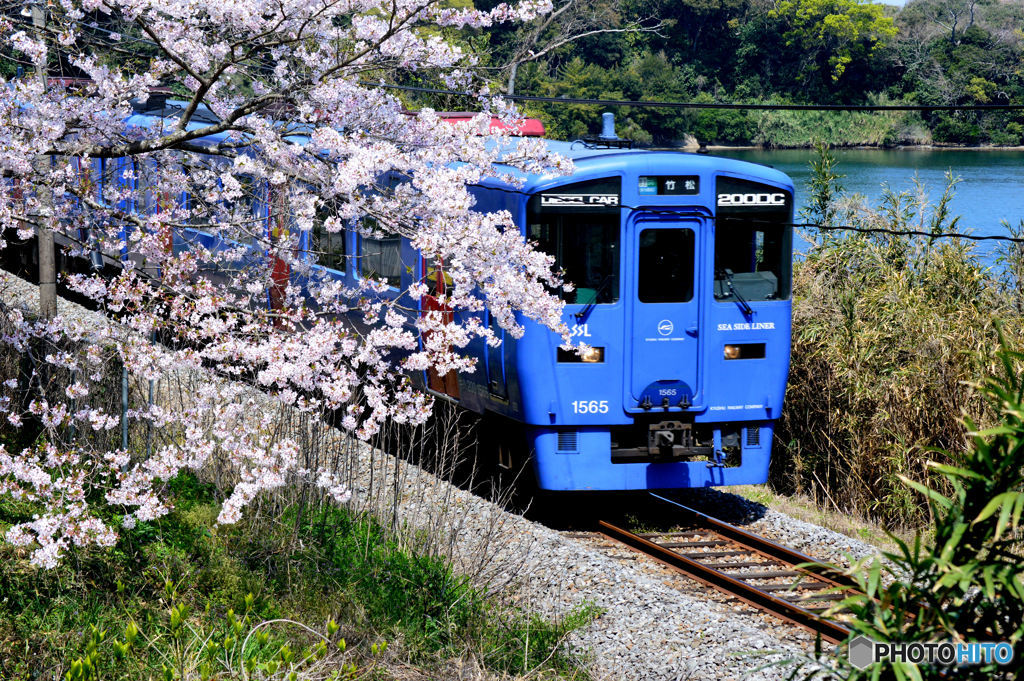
[992, 188]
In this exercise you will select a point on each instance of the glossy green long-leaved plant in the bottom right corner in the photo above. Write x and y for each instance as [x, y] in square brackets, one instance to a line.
[964, 584]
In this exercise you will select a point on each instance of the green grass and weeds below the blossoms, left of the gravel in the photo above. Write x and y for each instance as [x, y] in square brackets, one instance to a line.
[393, 607]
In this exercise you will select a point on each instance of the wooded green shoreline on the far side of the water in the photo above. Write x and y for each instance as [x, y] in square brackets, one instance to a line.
[803, 52]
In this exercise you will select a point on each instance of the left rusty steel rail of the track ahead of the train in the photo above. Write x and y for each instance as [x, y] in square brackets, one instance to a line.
[748, 593]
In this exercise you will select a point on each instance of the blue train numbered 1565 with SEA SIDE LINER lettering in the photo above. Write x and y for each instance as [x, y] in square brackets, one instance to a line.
[682, 268]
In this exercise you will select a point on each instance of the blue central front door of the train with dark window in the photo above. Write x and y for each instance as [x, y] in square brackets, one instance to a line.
[663, 301]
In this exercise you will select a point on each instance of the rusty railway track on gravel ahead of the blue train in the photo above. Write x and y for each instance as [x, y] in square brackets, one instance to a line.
[765, 575]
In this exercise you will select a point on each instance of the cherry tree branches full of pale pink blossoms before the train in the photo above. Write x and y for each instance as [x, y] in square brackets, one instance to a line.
[209, 150]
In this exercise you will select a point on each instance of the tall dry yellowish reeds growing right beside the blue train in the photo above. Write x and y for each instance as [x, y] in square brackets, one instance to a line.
[890, 333]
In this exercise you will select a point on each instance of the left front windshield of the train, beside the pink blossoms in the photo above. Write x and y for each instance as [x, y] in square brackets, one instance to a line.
[580, 226]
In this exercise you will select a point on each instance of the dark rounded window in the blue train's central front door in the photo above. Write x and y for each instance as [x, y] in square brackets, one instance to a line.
[666, 261]
